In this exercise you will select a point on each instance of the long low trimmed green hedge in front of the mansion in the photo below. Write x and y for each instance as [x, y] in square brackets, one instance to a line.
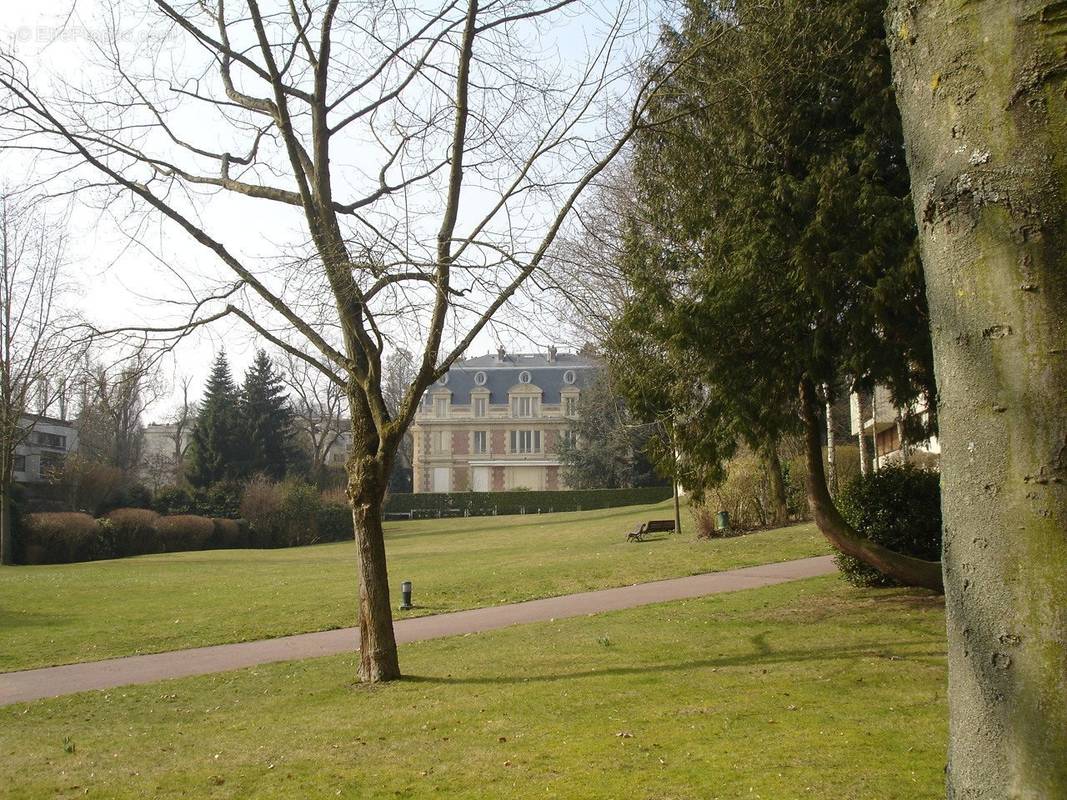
[485, 504]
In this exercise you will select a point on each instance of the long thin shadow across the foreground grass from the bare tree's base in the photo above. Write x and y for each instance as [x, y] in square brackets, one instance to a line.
[763, 657]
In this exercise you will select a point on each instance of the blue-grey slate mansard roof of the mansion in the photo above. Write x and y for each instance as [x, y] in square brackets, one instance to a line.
[502, 376]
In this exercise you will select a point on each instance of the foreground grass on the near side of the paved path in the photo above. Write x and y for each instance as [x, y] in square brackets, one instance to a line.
[810, 690]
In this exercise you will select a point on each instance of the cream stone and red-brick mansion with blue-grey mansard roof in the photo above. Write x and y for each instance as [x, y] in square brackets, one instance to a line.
[495, 423]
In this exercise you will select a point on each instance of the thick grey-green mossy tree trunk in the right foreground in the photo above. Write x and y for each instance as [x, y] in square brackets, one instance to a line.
[982, 94]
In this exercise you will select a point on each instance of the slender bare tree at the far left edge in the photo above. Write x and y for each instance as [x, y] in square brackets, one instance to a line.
[36, 350]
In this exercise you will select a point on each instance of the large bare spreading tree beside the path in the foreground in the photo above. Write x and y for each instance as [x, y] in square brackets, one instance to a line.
[431, 153]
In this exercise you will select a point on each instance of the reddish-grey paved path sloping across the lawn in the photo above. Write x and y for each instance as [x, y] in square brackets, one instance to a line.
[52, 682]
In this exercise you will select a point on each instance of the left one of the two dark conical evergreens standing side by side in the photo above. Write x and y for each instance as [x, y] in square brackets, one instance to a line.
[217, 437]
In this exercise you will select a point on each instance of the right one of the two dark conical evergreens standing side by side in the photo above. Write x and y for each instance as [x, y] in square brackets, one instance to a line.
[267, 423]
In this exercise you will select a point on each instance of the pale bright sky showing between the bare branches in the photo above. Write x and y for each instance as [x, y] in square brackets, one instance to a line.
[135, 270]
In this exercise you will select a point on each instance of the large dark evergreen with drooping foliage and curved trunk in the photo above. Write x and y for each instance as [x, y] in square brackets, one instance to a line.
[776, 246]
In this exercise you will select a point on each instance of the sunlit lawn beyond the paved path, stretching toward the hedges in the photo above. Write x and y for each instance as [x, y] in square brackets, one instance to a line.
[79, 613]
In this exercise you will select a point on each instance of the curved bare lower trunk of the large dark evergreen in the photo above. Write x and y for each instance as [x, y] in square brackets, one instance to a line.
[903, 569]
